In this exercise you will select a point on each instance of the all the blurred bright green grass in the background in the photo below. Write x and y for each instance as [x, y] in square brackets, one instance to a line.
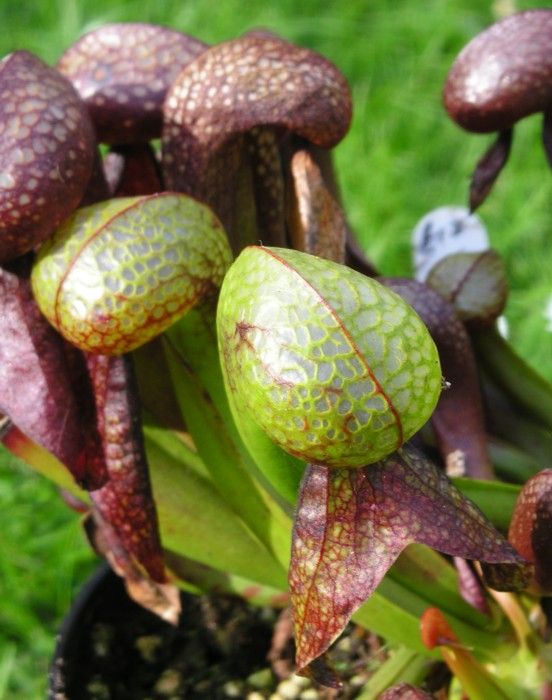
[402, 158]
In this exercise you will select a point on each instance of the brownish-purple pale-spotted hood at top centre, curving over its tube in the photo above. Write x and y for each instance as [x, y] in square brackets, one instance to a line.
[238, 85]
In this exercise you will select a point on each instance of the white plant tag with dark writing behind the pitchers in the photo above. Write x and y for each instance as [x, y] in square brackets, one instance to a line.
[445, 231]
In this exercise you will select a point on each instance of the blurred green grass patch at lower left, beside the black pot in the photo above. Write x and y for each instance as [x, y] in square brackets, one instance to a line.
[43, 558]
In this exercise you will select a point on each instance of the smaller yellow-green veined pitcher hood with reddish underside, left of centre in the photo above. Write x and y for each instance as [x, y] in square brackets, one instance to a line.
[117, 274]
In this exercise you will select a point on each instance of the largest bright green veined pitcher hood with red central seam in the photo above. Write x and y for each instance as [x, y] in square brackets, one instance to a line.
[335, 368]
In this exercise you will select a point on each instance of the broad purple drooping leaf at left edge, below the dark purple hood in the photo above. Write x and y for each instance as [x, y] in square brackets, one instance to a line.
[38, 381]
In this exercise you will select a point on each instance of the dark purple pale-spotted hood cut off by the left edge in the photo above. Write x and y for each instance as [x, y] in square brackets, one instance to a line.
[46, 152]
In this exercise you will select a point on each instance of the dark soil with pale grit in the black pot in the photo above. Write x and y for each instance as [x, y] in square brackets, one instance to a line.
[220, 649]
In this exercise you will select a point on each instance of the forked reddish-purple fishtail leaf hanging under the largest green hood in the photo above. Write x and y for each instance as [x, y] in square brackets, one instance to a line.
[351, 525]
